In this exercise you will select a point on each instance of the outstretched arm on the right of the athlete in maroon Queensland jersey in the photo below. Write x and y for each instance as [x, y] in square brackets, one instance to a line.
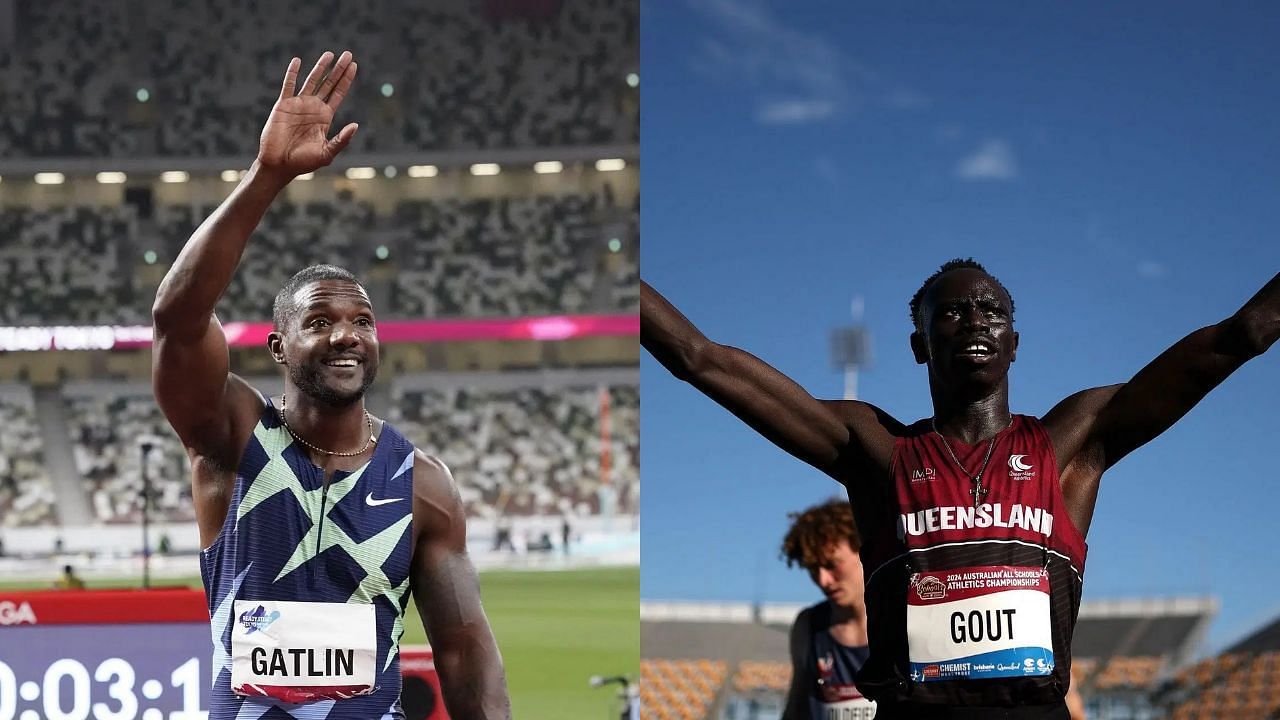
[1095, 429]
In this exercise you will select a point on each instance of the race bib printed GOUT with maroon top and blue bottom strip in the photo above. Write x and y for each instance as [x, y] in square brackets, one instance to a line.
[980, 623]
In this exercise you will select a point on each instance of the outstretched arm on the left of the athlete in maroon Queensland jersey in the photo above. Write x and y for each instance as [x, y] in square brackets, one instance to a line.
[833, 436]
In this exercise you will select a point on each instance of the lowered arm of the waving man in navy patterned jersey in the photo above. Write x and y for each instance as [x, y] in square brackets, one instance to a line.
[447, 594]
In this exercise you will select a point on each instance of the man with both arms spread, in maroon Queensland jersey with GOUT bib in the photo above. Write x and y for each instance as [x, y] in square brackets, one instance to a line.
[972, 522]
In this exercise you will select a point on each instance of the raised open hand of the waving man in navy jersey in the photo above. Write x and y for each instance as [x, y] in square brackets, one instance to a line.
[296, 138]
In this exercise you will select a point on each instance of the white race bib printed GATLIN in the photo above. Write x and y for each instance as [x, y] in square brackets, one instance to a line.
[304, 651]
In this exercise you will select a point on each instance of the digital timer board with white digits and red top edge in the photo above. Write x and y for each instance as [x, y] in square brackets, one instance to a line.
[111, 655]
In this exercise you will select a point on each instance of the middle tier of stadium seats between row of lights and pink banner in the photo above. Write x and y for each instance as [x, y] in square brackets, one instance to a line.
[509, 257]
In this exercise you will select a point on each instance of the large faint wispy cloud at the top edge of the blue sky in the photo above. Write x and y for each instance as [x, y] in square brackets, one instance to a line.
[797, 76]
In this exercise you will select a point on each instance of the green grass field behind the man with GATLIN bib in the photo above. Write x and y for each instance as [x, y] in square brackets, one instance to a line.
[555, 628]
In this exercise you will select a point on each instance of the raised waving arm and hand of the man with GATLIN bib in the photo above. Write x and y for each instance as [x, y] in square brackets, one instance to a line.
[212, 411]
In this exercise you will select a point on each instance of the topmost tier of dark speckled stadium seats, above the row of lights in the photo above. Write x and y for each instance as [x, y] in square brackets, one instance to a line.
[460, 75]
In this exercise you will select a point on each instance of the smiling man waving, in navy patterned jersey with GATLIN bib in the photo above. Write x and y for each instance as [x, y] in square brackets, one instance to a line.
[317, 518]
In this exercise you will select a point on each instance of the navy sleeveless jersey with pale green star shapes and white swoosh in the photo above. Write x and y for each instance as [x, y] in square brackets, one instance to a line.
[291, 541]
